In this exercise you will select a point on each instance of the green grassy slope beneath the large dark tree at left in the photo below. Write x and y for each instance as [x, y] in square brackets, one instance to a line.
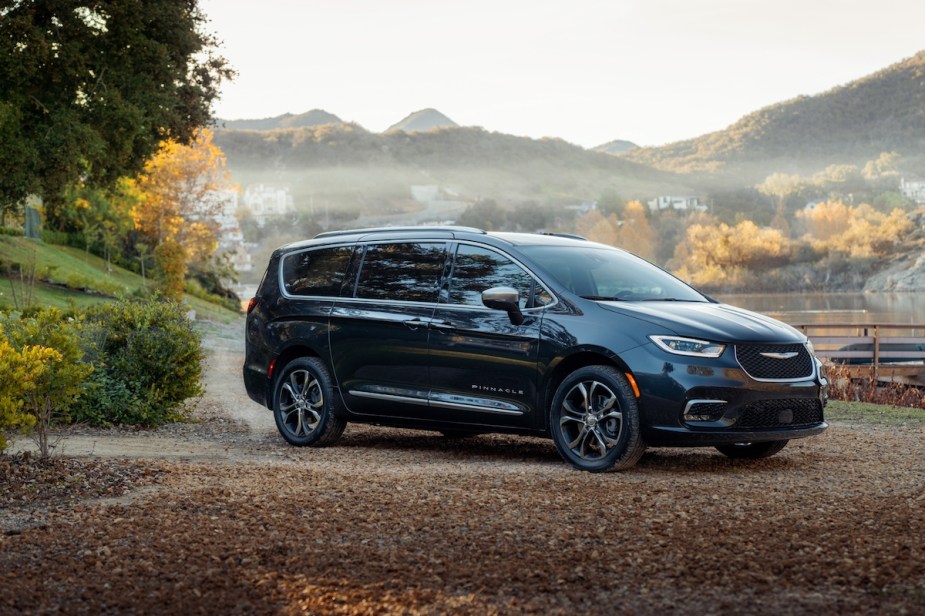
[67, 276]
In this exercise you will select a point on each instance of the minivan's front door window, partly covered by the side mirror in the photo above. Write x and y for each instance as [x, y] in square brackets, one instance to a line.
[476, 269]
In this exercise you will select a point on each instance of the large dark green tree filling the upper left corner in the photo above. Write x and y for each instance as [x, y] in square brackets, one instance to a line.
[91, 89]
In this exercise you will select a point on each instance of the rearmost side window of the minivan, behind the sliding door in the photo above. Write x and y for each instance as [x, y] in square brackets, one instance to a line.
[315, 273]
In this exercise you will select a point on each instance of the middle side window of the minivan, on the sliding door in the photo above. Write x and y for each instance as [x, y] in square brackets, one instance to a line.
[404, 272]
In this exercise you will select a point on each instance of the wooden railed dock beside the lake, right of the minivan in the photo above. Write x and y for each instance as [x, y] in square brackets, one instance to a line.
[892, 352]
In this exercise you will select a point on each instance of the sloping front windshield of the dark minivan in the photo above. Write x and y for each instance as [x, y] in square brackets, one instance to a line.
[602, 273]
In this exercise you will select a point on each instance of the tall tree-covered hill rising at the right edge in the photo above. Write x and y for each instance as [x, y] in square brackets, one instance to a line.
[849, 124]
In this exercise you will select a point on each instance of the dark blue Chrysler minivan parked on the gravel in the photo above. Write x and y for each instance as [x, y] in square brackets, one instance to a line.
[465, 332]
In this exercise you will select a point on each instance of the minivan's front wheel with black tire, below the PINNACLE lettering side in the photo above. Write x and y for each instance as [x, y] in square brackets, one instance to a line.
[594, 420]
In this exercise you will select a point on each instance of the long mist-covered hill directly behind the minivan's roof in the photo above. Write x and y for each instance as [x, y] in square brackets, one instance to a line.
[344, 168]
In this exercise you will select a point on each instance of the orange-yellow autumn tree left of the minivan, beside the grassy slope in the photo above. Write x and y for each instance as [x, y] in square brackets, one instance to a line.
[181, 191]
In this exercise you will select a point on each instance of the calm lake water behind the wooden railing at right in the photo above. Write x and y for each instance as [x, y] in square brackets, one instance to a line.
[855, 308]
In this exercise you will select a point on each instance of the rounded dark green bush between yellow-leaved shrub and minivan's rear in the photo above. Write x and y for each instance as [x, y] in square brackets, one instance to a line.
[148, 363]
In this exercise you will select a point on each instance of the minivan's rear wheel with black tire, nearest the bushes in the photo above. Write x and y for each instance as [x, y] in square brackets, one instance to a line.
[305, 404]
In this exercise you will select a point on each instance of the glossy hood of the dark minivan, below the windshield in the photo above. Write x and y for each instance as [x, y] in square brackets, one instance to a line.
[713, 322]
